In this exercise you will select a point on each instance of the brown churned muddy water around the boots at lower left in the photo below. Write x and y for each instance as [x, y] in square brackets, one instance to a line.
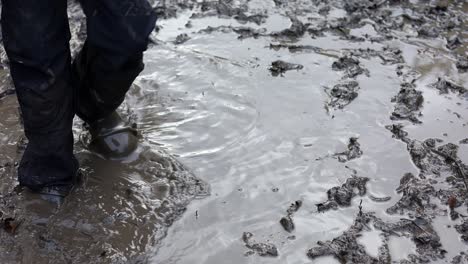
[116, 214]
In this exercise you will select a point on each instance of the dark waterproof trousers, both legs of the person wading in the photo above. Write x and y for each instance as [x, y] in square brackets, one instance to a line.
[51, 89]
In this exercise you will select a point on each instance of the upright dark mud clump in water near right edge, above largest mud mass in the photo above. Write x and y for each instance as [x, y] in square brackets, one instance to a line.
[408, 103]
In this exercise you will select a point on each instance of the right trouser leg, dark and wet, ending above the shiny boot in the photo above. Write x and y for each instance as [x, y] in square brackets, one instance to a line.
[112, 57]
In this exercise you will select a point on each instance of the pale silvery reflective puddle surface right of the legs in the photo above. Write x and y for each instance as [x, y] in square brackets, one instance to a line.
[255, 138]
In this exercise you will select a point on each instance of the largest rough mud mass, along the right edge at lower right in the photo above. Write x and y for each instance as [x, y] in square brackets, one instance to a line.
[433, 161]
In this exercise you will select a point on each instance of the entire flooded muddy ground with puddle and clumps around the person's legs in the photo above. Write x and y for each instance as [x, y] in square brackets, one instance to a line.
[316, 131]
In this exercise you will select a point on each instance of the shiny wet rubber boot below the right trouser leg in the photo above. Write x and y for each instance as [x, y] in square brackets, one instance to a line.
[112, 138]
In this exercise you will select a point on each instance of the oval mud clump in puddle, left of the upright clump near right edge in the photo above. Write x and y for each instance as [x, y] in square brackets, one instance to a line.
[342, 94]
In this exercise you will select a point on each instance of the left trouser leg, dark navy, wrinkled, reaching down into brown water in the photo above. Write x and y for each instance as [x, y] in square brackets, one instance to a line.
[36, 36]
